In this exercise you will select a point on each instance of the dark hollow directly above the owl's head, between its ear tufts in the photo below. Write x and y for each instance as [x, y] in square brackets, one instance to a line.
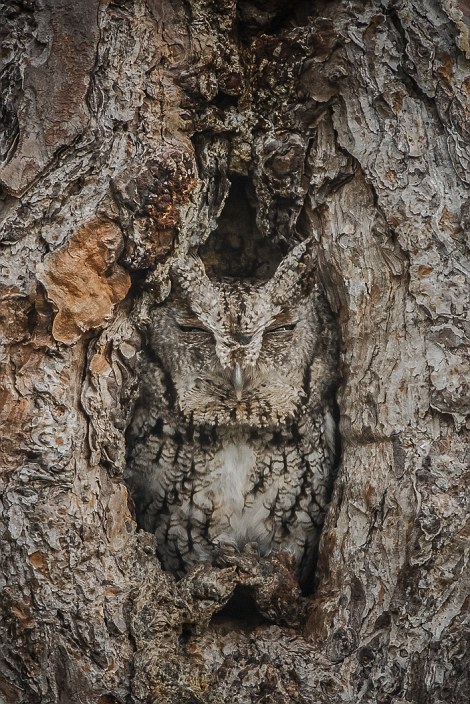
[236, 249]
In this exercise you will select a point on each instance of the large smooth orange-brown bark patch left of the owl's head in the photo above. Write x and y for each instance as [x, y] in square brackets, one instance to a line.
[83, 281]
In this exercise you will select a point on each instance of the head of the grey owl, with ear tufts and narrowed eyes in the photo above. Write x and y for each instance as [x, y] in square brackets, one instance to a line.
[238, 352]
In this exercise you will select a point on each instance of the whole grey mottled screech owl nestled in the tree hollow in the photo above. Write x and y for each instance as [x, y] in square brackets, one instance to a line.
[233, 440]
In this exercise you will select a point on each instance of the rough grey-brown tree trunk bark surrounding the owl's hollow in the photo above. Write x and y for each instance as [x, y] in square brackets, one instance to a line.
[124, 125]
